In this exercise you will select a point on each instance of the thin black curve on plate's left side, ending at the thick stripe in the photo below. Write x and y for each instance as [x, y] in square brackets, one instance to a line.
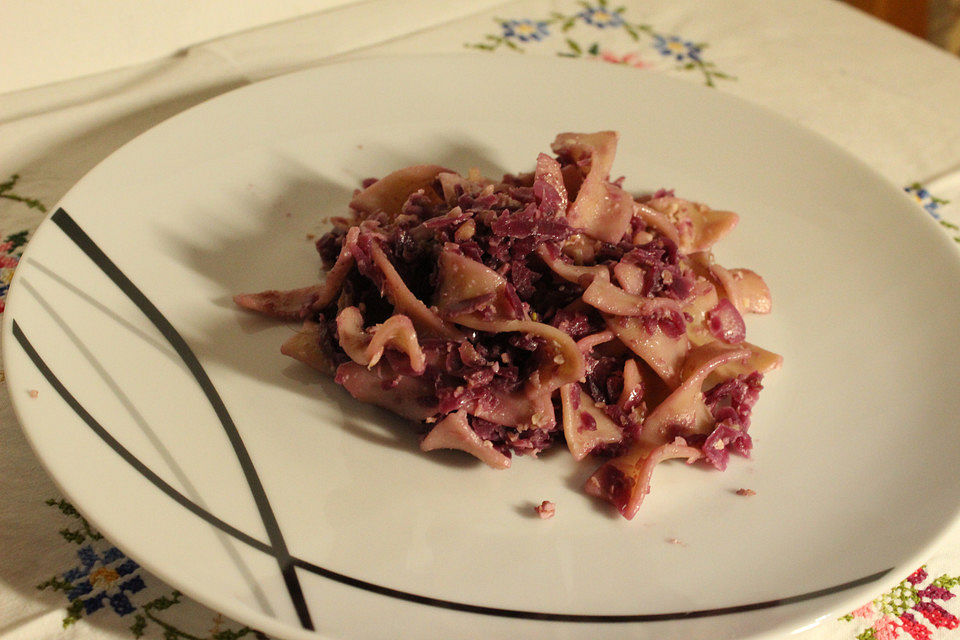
[123, 452]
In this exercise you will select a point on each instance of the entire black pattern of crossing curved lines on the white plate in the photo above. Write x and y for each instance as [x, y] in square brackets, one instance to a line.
[288, 563]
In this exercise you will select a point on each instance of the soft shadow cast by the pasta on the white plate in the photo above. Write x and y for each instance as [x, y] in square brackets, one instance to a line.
[276, 251]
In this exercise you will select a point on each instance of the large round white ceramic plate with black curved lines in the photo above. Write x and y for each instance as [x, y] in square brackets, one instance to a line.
[172, 421]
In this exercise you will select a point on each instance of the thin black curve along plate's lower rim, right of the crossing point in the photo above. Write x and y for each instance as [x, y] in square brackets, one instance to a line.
[584, 617]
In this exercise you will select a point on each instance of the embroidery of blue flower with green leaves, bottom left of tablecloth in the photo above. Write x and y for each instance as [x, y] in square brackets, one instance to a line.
[104, 579]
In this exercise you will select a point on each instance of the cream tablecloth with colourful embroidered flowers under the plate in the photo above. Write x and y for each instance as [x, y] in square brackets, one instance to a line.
[890, 99]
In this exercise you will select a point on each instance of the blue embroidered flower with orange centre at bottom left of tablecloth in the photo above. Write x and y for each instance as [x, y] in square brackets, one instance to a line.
[101, 580]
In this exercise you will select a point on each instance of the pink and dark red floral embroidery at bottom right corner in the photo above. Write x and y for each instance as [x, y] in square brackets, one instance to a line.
[909, 610]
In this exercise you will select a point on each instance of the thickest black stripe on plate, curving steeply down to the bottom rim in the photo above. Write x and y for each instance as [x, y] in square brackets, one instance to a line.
[73, 231]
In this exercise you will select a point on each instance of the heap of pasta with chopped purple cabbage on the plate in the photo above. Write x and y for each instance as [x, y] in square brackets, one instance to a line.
[507, 317]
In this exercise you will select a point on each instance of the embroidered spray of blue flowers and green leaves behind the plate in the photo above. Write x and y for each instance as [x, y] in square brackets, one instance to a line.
[687, 55]
